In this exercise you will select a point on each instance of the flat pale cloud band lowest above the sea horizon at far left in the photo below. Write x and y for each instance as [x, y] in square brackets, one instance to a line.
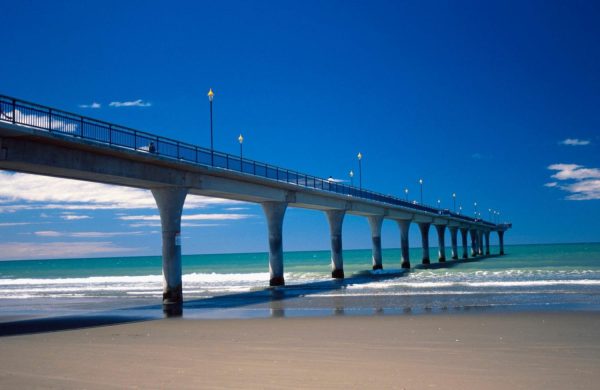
[36, 250]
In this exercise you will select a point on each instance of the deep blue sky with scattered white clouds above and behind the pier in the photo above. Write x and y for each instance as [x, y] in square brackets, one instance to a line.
[495, 101]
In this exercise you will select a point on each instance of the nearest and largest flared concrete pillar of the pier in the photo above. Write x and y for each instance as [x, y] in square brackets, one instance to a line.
[170, 202]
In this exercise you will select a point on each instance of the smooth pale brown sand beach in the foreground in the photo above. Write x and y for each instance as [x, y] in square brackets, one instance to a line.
[484, 351]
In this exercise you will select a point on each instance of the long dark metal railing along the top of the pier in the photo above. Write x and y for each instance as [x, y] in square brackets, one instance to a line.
[55, 121]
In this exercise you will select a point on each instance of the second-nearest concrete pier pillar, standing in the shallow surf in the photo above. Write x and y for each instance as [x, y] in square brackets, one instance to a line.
[275, 211]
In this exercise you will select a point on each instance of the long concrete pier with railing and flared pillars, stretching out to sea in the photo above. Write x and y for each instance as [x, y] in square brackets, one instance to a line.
[45, 141]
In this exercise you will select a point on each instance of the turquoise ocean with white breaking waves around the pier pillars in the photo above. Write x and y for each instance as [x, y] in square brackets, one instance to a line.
[529, 278]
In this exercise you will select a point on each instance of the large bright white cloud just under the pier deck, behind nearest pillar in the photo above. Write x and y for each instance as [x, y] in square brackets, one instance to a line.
[43, 192]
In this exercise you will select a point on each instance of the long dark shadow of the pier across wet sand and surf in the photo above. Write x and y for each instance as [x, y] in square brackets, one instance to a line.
[273, 296]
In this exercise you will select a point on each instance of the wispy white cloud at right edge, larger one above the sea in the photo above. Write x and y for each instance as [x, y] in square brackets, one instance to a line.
[580, 182]
